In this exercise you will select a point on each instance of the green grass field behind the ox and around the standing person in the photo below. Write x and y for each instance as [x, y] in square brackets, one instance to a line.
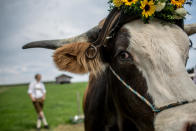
[17, 112]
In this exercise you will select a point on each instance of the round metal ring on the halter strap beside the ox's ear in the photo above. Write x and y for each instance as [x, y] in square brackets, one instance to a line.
[91, 49]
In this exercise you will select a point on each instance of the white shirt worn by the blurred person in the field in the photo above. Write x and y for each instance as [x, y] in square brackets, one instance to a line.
[36, 89]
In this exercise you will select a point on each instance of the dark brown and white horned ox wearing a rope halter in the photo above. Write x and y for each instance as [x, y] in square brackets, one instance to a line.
[150, 58]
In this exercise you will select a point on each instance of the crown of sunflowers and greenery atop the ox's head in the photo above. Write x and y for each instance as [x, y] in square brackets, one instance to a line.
[169, 10]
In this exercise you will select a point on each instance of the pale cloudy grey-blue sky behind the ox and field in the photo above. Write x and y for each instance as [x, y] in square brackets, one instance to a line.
[23, 21]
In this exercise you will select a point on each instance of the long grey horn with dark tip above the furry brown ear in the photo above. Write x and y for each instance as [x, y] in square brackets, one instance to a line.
[54, 44]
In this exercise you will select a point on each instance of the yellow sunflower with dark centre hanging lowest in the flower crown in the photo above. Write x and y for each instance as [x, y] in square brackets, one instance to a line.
[148, 8]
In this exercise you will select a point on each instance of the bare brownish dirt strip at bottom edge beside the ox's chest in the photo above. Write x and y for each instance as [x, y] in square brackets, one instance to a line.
[77, 127]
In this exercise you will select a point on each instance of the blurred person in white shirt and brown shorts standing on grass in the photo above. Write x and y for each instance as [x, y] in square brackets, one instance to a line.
[37, 93]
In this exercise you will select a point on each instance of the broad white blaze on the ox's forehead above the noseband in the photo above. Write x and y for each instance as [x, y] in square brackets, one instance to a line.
[160, 51]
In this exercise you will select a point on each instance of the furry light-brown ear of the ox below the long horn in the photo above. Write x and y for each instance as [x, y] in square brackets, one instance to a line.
[71, 58]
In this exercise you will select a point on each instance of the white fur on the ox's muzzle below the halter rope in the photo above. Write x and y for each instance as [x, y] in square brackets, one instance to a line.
[176, 119]
